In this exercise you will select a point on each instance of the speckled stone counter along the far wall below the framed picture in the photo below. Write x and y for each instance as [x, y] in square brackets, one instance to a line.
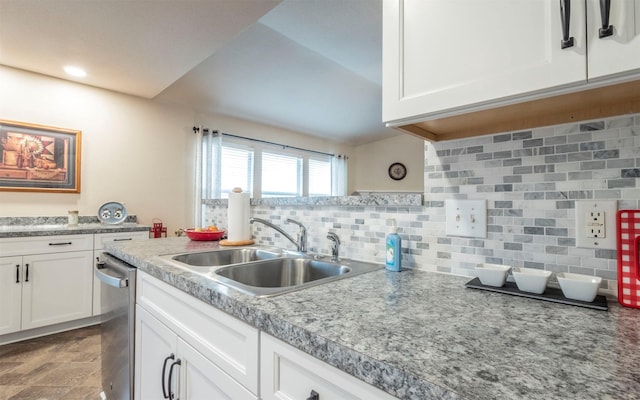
[50, 226]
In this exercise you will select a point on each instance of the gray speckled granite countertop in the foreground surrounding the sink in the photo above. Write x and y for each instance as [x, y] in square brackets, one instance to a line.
[423, 335]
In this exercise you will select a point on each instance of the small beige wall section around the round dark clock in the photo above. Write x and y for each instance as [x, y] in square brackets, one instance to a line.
[372, 163]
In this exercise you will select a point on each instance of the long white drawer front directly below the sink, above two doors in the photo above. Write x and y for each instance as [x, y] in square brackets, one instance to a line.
[228, 342]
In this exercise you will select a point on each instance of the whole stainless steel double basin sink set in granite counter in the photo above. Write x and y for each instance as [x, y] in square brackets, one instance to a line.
[268, 271]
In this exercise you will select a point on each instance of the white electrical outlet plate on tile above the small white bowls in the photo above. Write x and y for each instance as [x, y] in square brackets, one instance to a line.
[595, 224]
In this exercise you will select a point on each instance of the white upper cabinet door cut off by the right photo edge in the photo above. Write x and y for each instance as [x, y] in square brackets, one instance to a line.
[619, 53]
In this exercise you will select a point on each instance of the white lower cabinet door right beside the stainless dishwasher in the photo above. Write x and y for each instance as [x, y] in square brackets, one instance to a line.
[155, 343]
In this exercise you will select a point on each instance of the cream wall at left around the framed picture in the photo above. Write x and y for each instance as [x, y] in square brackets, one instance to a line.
[133, 150]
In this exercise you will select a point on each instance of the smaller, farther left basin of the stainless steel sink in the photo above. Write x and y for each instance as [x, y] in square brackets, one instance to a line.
[226, 257]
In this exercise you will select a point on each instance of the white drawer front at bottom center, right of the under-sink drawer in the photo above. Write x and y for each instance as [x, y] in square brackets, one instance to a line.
[288, 373]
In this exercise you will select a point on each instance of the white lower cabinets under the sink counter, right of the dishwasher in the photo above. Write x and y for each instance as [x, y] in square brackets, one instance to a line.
[188, 349]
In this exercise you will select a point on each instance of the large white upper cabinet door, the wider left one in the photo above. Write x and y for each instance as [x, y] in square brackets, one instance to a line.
[441, 56]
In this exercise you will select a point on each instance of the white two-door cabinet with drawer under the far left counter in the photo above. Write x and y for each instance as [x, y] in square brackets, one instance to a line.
[47, 280]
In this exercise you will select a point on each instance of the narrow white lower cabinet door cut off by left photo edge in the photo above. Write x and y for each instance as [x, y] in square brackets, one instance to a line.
[10, 294]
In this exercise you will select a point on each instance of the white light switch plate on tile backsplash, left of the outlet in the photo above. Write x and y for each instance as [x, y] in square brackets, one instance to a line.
[466, 218]
